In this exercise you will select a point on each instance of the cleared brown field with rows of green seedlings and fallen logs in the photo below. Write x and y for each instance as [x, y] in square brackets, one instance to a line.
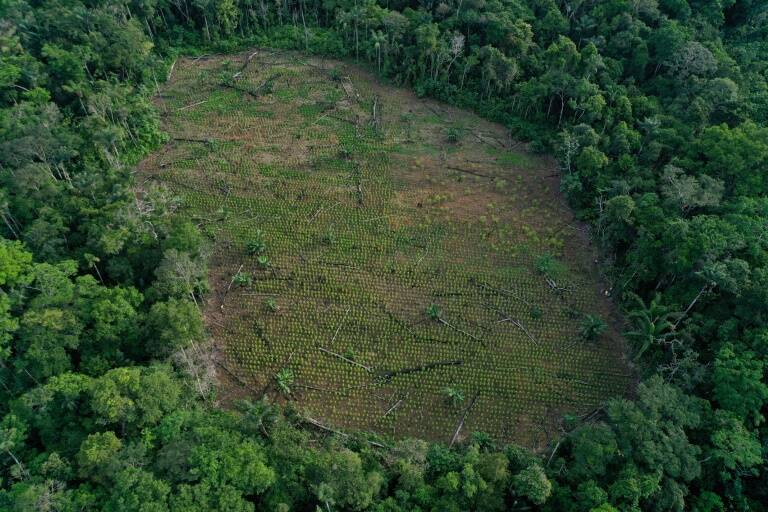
[373, 249]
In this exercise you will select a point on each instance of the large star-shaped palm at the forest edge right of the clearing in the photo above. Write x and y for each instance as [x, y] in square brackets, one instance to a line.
[652, 323]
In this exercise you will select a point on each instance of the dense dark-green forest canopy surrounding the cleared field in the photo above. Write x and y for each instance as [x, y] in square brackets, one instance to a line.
[656, 111]
